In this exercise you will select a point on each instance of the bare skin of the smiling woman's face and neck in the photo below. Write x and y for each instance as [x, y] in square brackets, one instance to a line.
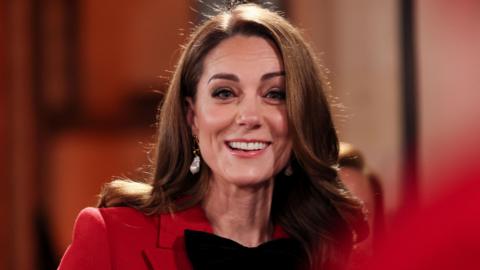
[240, 98]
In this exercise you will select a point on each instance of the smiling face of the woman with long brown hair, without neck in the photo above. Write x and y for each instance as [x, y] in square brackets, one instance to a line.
[239, 113]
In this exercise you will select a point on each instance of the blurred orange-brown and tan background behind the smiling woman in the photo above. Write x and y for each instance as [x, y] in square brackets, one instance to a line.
[80, 82]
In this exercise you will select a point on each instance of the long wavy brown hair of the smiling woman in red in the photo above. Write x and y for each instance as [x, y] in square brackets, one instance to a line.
[311, 205]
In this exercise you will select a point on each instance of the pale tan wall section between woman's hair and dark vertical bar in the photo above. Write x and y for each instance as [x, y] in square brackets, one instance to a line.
[358, 42]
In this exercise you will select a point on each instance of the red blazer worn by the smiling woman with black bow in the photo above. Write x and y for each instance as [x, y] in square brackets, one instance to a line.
[124, 238]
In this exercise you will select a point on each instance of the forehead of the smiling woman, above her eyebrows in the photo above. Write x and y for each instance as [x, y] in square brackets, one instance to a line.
[240, 54]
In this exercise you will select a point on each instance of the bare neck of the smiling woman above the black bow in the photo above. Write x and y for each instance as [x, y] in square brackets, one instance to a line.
[240, 213]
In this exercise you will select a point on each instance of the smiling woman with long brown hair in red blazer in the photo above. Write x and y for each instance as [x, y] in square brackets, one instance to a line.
[243, 159]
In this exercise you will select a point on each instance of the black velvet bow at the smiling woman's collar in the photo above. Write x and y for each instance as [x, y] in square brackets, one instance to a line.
[209, 251]
